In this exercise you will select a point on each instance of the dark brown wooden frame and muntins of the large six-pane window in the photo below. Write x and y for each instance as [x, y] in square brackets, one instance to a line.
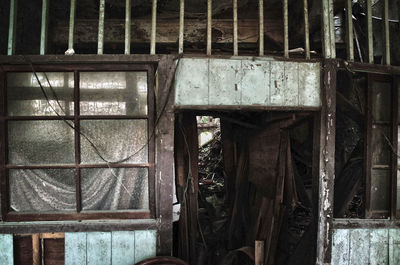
[76, 68]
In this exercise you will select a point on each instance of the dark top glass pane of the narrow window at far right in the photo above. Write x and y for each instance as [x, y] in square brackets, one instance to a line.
[382, 98]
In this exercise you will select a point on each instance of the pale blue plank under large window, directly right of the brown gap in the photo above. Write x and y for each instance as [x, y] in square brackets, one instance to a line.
[75, 248]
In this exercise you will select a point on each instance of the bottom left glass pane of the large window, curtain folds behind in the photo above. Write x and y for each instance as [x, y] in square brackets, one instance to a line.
[42, 190]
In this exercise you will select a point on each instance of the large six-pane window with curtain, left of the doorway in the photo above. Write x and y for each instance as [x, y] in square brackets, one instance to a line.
[77, 142]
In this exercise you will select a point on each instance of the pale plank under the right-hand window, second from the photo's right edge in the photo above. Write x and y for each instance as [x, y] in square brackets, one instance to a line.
[378, 254]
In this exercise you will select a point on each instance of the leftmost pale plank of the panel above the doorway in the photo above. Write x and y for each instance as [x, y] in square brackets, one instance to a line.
[192, 89]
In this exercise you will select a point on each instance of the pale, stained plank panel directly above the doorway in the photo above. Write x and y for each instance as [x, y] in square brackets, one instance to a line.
[245, 82]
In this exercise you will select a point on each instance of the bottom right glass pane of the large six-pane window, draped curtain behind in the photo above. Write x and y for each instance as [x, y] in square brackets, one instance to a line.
[115, 189]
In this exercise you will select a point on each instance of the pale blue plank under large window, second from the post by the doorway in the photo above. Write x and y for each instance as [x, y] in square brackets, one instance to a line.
[123, 247]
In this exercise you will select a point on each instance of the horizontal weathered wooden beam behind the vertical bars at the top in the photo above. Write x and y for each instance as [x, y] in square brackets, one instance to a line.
[168, 31]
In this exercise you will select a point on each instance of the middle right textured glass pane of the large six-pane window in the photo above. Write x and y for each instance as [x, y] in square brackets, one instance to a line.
[114, 140]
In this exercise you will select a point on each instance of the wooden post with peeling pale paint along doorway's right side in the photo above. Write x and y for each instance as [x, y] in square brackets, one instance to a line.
[326, 163]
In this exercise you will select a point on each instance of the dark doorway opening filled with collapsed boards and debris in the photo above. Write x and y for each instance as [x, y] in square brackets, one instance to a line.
[245, 177]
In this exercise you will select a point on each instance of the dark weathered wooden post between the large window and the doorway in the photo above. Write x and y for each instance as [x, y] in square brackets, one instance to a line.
[164, 163]
